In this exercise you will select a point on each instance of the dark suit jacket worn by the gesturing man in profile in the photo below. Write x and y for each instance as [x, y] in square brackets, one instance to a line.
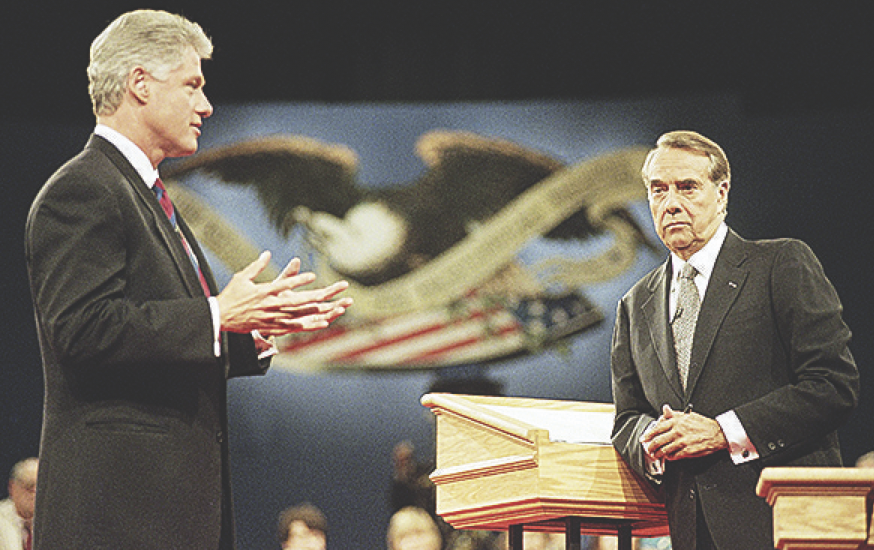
[134, 451]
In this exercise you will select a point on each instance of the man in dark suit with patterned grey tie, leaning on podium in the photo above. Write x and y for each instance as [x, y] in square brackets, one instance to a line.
[765, 363]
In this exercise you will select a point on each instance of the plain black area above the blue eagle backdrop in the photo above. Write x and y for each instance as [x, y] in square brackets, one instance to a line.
[782, 57]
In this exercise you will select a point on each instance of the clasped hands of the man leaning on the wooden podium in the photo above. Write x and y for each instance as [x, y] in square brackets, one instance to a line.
[677, 435]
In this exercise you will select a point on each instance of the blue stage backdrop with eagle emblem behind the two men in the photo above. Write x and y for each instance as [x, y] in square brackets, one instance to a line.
[485, 244]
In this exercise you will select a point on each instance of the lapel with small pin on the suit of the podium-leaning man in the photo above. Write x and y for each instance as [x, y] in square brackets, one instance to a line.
[726, 283]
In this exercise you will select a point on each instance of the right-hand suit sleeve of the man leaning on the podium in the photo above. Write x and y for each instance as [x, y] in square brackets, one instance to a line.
[793, 419]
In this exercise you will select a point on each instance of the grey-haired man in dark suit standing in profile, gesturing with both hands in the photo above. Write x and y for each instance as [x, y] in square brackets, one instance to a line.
[137, 342]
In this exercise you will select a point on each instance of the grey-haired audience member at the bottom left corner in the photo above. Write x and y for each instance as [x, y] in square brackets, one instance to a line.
[16, 512]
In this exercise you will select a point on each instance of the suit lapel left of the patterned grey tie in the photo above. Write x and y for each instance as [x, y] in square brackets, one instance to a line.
[655, 312]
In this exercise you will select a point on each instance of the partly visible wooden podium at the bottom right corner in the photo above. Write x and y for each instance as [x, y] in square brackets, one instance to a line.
[820, 508]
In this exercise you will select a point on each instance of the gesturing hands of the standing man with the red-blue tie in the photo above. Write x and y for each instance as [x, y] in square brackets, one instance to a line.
[278, 307]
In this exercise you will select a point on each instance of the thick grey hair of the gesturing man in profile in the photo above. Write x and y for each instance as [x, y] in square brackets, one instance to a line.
[154, 40]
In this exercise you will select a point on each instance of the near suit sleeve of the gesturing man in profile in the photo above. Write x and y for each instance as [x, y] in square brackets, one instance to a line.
[85, 243]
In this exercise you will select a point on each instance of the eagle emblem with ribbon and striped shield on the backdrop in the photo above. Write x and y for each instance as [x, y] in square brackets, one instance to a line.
[434, 263]
